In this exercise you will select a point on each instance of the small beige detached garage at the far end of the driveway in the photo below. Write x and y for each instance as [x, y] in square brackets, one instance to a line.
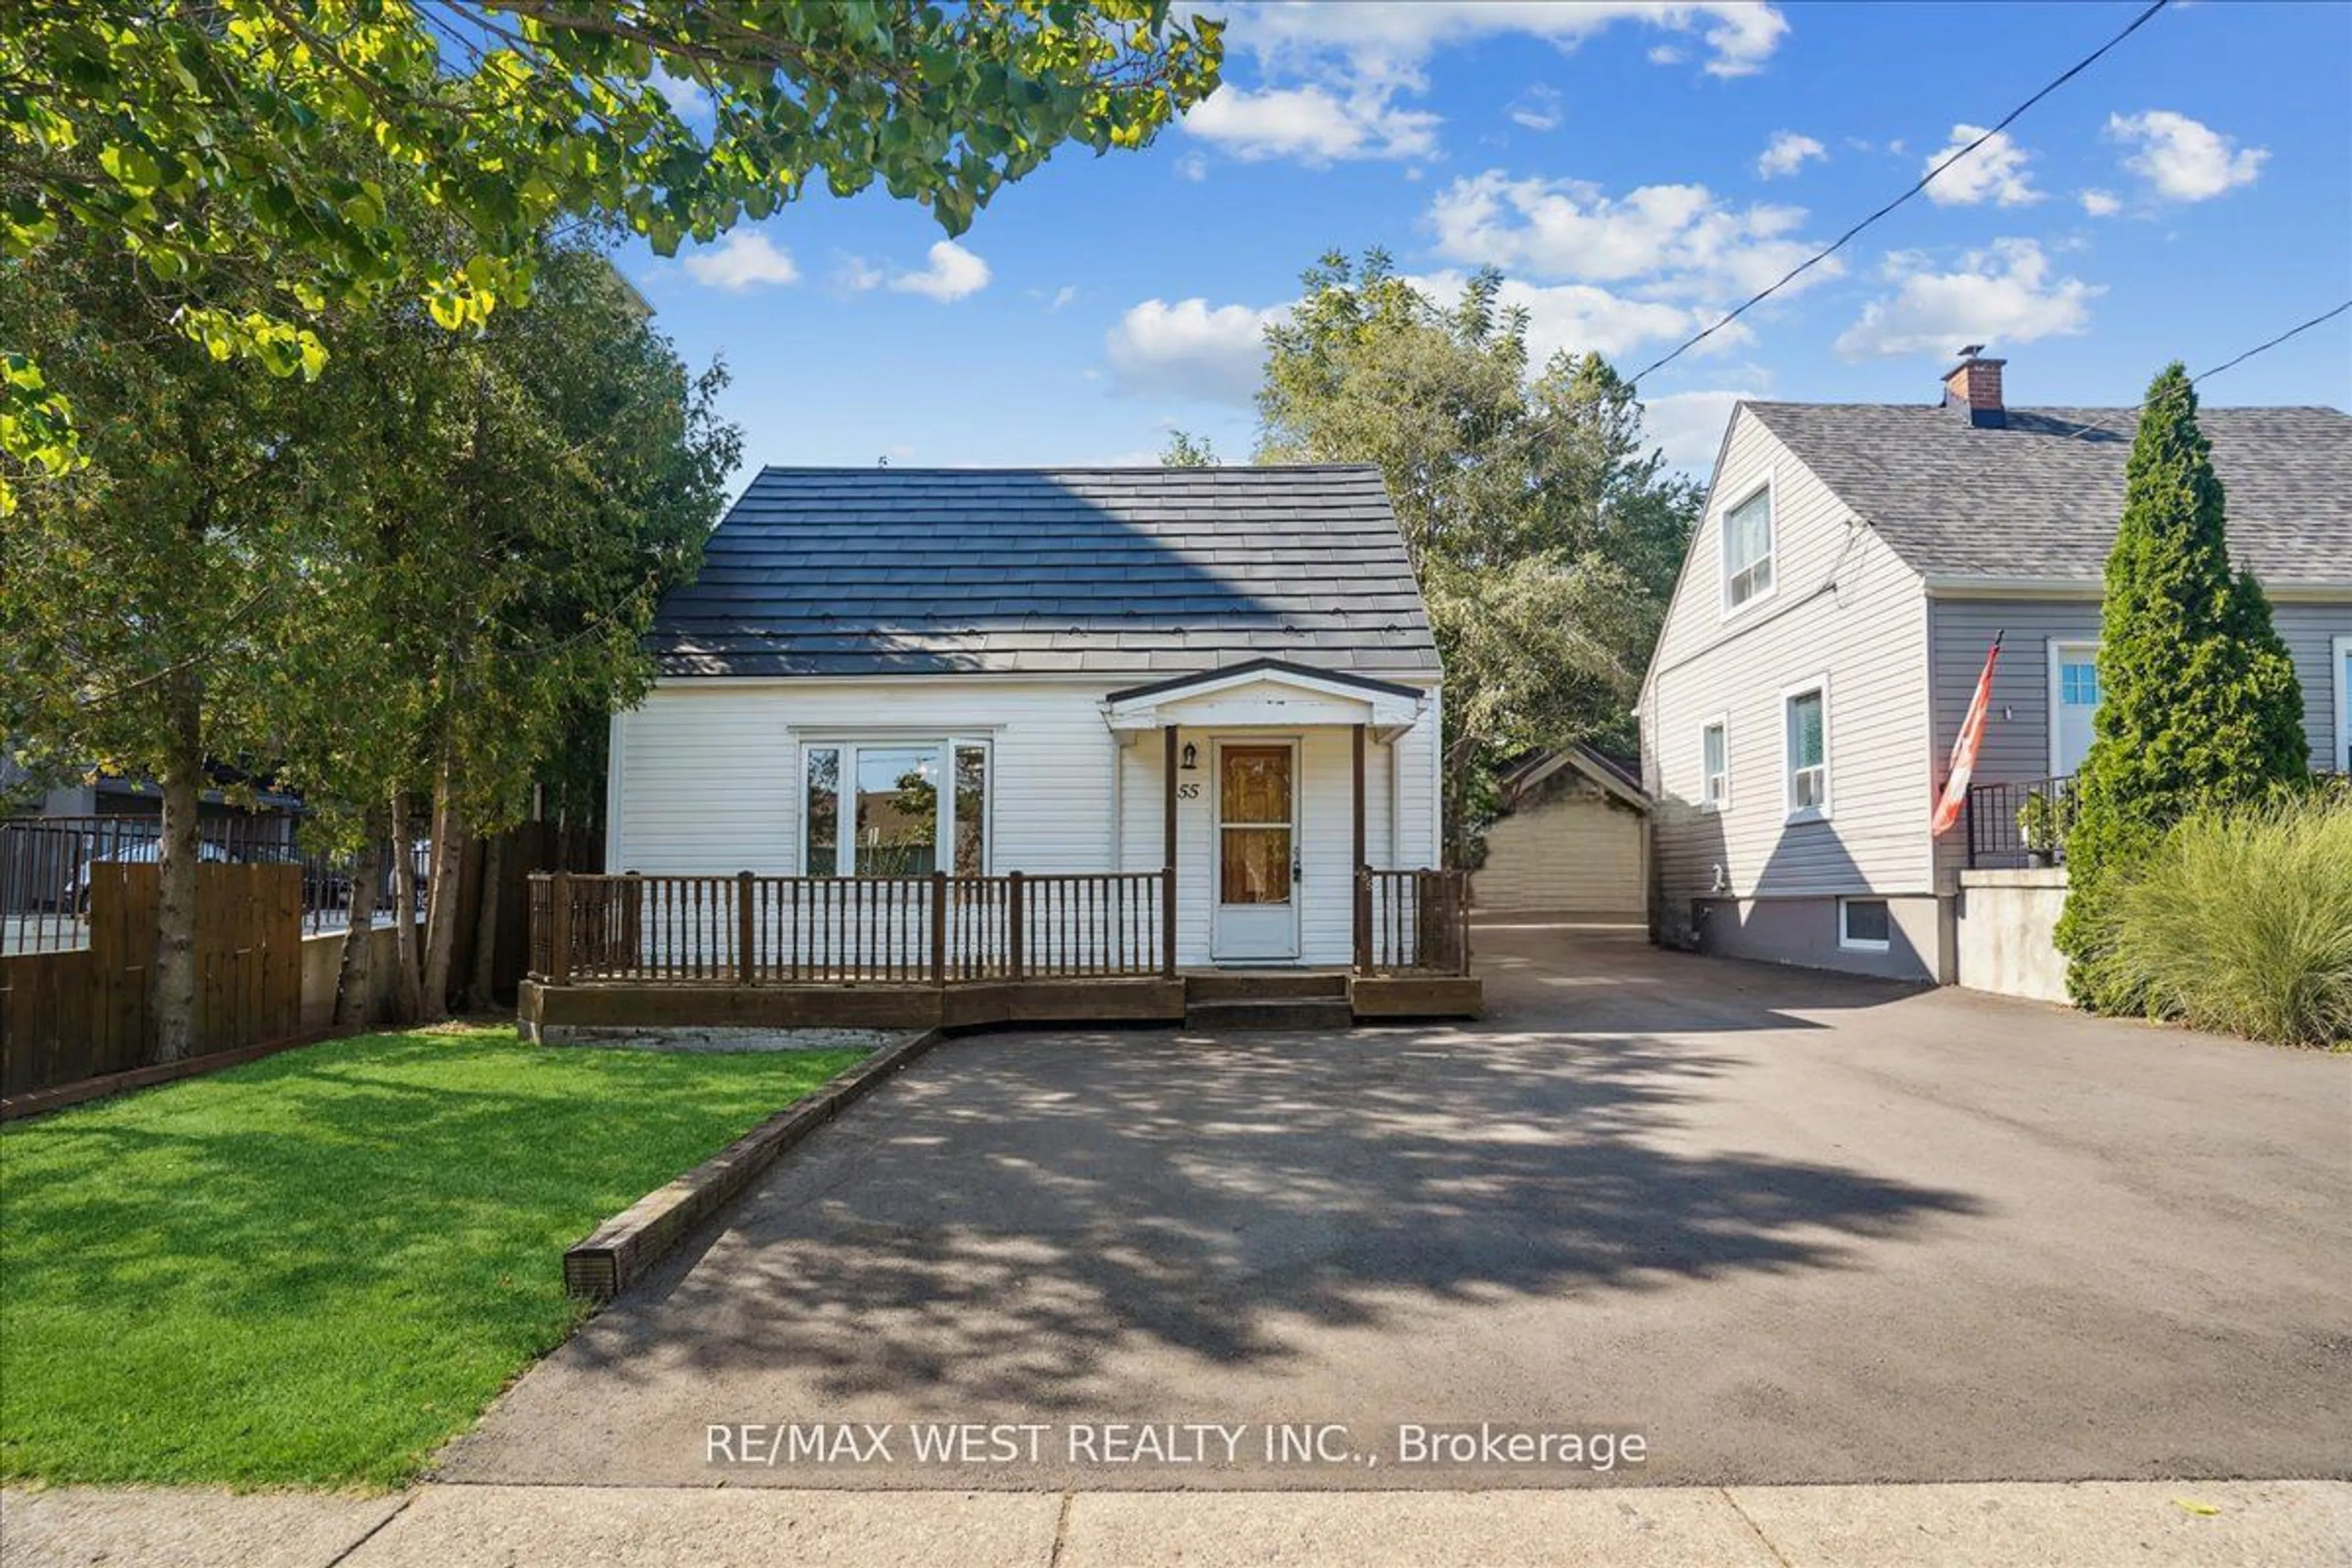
[1572, 840]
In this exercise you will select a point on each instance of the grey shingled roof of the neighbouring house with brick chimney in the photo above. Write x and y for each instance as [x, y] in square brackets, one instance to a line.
[2040, 500]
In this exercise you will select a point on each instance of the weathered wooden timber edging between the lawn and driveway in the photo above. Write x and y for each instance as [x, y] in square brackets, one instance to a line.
[624, 1247]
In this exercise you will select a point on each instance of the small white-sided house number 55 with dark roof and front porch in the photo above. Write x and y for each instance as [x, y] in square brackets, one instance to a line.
[1194, 709]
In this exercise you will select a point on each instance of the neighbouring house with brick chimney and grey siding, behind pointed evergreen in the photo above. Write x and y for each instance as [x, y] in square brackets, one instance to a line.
[1904, 542]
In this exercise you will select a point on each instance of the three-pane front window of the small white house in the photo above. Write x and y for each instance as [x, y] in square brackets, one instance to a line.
[895, 808]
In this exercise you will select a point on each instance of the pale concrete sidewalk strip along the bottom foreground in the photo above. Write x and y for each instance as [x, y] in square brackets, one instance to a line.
[2247, 1525]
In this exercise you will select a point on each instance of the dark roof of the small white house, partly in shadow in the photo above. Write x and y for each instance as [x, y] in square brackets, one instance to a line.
[1050, 572]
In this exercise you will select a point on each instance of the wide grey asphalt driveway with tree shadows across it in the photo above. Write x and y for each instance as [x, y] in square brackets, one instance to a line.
[1782, 1226]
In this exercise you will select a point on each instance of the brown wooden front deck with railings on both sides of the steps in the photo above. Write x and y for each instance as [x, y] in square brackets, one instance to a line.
[648, 953]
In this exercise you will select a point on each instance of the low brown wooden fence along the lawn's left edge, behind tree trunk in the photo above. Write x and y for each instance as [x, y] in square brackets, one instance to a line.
[69, 1017]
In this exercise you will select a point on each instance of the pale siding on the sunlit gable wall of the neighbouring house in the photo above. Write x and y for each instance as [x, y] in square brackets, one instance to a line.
[1845, 608]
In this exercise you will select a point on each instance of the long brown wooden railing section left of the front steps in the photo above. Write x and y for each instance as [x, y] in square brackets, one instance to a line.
[937, 930]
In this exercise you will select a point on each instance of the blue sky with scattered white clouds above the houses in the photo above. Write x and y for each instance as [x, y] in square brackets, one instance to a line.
[1633, 168]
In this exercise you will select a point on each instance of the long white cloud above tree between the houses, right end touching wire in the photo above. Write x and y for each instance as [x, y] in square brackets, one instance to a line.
[1678, 239]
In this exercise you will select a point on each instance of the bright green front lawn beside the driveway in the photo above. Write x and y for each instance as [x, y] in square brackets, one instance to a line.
[321, 1266]
